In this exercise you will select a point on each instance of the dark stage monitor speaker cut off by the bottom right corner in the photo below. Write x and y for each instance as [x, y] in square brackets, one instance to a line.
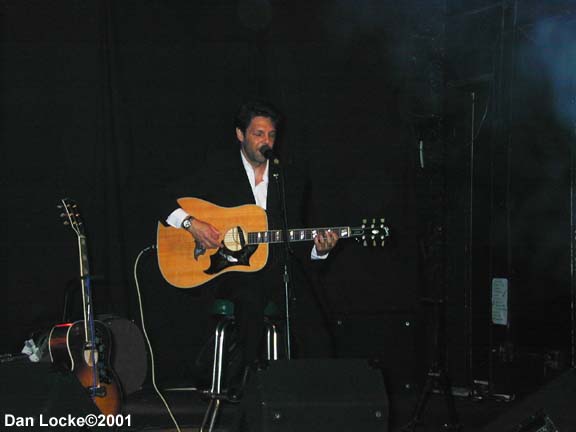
[550, 409]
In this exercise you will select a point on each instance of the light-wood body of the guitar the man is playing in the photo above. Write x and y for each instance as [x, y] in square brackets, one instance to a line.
[183, 267]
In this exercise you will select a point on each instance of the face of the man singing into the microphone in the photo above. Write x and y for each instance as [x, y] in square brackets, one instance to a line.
[260, 132]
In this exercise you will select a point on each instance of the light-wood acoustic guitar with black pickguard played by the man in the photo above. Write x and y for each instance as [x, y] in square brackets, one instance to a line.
[244, 248]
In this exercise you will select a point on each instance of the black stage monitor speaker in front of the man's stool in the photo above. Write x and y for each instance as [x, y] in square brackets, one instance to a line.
[315, 396]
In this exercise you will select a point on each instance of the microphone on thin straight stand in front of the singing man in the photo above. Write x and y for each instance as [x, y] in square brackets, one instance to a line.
[281, 189]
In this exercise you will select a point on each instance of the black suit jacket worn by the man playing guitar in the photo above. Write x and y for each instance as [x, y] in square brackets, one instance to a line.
[222, 180]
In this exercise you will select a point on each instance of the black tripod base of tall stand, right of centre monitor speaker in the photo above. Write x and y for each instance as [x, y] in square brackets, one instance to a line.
[437, 377]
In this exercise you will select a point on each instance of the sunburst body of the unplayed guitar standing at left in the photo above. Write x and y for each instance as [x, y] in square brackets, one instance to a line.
[67, 348]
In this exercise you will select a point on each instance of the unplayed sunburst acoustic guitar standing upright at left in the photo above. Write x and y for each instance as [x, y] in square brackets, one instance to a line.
[83, 347]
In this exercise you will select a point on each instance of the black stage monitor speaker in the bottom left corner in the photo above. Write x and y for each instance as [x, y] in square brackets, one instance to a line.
[29, 390]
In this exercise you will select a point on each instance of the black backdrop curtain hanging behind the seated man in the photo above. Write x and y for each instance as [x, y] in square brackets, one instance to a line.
[107, 102]
